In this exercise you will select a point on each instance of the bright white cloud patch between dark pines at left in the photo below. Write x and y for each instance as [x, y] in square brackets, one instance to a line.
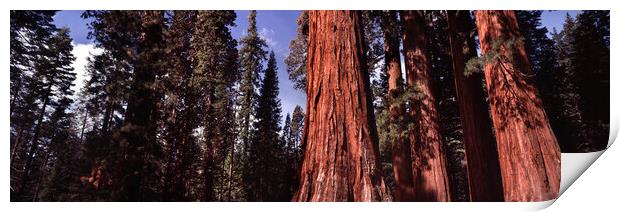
[82, 52]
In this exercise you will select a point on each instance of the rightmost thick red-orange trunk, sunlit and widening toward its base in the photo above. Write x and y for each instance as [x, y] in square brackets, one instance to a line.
[528, 151]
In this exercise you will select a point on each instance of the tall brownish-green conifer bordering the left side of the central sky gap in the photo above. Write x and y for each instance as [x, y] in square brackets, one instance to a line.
[214, 76]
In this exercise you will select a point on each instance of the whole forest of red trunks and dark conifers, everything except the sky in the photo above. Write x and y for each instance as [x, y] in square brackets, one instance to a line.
[401, 106]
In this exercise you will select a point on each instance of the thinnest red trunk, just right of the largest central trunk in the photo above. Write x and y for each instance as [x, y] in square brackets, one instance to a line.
[401, 147]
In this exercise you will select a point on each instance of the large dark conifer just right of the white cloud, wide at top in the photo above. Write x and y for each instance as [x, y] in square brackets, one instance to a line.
[136, 37]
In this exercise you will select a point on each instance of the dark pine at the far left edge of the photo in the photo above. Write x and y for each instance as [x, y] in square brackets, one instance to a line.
[30, 38]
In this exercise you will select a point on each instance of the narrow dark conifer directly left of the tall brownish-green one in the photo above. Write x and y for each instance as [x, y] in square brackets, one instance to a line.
[178, 121]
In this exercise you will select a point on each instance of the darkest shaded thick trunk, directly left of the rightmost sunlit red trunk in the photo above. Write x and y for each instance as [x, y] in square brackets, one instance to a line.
[485, 182]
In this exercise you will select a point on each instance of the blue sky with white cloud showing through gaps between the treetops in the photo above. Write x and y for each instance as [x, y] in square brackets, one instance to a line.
[276, 27]
